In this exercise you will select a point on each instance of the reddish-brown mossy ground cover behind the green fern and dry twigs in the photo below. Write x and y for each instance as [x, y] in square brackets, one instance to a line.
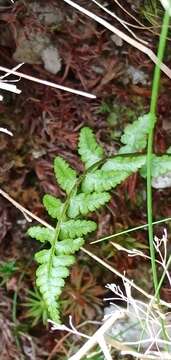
[46, 122]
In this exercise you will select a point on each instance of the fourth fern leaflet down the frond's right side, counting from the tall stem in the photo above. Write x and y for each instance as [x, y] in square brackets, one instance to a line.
[73, 228]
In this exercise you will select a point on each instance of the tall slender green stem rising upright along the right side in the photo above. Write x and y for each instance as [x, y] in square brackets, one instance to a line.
[153, 111]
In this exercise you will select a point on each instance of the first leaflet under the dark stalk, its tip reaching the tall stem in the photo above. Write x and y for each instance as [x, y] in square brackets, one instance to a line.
[125, 163]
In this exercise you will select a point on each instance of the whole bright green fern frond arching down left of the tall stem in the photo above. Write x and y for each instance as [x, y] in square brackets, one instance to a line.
[84, 193]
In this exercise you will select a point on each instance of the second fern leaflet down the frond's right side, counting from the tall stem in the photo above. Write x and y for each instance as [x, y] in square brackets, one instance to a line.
[100, 180]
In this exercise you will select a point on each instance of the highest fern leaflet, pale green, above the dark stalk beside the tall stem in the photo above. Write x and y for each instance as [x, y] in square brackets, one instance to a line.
[135, 135]
